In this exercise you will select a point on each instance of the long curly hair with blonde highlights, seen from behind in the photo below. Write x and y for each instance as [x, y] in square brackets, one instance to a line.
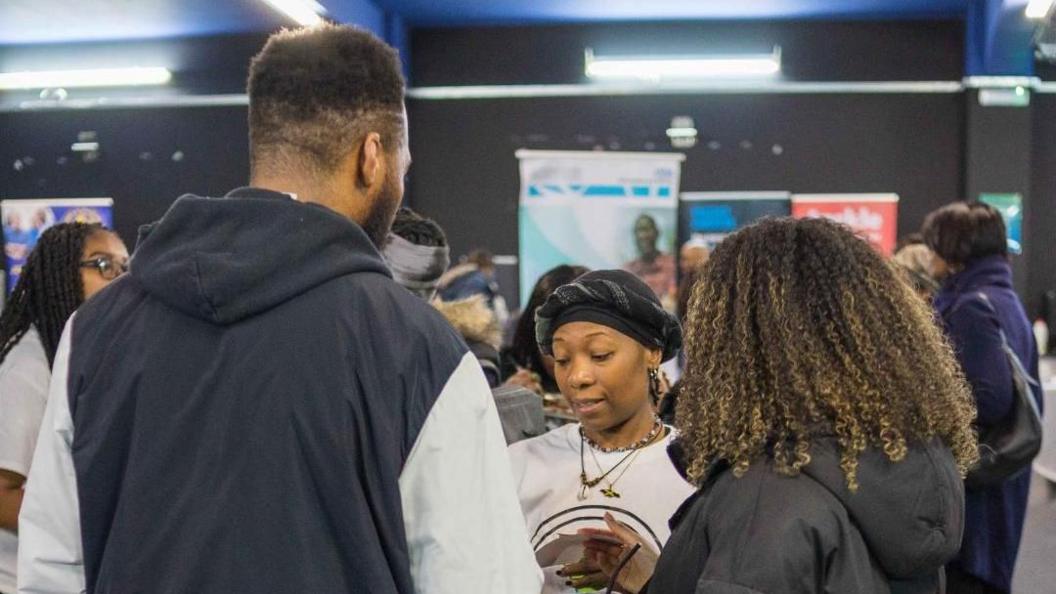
[800, 330]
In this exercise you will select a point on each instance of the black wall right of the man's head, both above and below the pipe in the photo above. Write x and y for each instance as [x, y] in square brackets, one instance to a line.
[466, 174]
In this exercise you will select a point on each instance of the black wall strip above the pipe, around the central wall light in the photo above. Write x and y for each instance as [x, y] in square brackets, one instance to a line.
[810, 50]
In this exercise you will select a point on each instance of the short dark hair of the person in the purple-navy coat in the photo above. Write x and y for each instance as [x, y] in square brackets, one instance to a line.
[964, 232]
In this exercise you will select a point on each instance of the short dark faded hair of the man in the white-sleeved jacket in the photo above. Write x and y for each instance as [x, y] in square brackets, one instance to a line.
[315, 94]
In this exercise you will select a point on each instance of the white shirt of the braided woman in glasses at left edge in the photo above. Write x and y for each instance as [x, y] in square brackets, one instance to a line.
[24, 394]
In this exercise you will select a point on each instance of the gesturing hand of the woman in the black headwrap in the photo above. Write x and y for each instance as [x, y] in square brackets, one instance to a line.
[608, 555]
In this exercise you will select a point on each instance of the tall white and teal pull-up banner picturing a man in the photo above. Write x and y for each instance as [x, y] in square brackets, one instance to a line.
[600, 211]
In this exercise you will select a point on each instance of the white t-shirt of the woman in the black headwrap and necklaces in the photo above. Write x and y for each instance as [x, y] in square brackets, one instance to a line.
[546, 471]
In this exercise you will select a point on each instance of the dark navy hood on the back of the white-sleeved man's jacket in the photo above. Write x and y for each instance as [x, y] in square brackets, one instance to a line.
[225, 259]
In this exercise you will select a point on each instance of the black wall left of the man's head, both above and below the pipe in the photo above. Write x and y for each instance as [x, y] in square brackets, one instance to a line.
[136, 164]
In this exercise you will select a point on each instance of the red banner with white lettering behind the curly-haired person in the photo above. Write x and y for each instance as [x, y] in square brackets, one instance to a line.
[873, 216]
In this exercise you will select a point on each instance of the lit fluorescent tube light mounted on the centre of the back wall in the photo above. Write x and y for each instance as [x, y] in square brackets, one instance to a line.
[665, 68]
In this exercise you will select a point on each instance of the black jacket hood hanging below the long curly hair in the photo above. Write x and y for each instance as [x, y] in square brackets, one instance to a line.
[911, 513]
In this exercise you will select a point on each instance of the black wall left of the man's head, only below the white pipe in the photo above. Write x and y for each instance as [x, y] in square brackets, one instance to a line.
[136, 165]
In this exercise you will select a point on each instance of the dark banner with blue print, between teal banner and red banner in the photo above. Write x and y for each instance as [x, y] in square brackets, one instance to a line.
[707, 218]
